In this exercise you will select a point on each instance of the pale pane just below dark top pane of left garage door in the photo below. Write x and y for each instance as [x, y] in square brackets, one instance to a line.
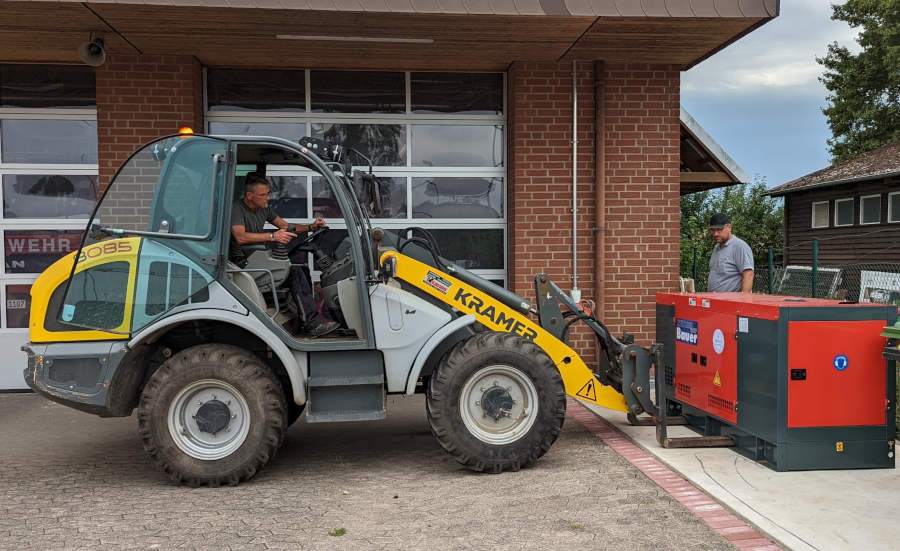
[48, 141]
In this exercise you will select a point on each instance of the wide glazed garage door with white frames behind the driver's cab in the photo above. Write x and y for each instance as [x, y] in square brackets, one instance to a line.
[437, 141]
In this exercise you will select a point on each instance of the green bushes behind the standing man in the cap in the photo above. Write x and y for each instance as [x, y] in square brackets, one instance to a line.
[755, 217]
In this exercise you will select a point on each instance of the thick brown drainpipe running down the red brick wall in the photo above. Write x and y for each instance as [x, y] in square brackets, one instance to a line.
[600, 189]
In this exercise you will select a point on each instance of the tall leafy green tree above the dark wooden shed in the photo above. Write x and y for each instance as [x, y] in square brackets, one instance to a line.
[864, 89]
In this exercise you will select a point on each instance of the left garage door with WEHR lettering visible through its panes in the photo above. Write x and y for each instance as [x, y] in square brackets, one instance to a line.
[48, 174]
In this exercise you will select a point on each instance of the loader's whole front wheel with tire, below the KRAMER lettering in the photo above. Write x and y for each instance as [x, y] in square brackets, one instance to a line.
[496, 402]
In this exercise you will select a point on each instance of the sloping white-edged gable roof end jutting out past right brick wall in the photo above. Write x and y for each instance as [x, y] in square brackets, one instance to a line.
[704, 163]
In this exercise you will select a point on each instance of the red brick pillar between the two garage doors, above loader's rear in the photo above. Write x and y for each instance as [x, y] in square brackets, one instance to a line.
[143, 97]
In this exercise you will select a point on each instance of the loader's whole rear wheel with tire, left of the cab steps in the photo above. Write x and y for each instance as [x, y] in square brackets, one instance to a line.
[212, 414]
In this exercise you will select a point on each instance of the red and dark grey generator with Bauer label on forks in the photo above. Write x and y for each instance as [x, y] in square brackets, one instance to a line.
[796, 383]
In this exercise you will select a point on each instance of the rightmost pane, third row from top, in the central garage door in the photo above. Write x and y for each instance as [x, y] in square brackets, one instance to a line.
[457, 197]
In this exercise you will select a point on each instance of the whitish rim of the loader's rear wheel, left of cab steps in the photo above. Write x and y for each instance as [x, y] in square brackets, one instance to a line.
[196, 421]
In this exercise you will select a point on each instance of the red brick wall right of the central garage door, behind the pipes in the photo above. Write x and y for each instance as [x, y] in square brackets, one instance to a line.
[642, 189]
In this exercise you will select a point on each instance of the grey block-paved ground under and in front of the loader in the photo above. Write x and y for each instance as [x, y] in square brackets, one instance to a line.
[72, 480]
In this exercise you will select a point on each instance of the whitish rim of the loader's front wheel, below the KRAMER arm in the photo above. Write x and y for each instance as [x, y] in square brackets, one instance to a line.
[498, 404]
